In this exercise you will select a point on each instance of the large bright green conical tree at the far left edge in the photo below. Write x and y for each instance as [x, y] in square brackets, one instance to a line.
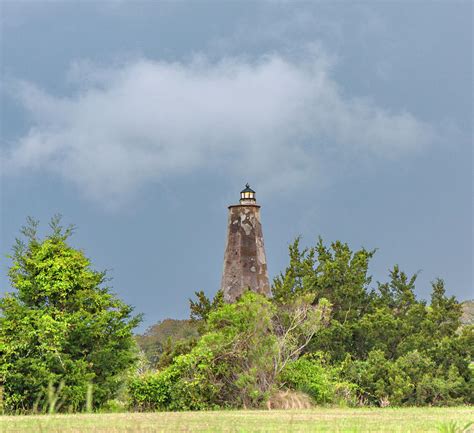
[61, 325]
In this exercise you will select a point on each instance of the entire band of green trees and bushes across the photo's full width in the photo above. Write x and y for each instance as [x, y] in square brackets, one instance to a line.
[328, 334]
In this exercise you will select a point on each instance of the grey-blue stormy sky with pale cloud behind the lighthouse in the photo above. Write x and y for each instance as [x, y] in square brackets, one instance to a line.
[140, 122]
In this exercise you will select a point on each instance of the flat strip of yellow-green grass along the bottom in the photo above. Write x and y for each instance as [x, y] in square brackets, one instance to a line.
[334, 420]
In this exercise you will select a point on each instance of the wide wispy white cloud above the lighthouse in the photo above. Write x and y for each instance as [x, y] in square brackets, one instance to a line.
[273, 119]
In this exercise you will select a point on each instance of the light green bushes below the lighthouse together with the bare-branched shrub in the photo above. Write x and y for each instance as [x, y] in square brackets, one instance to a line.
[236, 362]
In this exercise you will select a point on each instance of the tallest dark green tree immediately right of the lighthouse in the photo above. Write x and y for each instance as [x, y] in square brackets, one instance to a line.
[339, 275]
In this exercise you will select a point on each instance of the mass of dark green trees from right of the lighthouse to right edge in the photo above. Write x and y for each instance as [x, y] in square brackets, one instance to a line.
[395, 348]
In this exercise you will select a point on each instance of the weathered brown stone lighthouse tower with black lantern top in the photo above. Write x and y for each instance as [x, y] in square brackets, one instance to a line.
[245, 265]
